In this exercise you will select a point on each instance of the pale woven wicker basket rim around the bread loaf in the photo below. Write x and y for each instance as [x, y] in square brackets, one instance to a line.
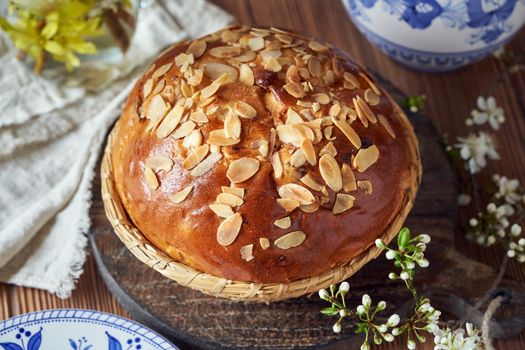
[146, 252]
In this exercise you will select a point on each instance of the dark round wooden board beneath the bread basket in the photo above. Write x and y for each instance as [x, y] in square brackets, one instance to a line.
[192, 319]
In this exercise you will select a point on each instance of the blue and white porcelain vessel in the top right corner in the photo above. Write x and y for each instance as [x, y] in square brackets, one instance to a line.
[437, 35]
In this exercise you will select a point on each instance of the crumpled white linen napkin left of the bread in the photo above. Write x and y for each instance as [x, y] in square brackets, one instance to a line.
[51, 132]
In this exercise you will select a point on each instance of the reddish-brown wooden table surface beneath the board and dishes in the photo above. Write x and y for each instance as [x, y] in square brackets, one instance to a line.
[450, 98]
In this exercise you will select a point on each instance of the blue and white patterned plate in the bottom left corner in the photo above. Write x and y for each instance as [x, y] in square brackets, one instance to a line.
[76, 329]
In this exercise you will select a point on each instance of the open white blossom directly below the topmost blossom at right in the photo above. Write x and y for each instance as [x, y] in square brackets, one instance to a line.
[474, 149]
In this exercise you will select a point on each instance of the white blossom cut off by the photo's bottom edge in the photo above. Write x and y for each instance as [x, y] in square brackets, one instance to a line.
[459, 339]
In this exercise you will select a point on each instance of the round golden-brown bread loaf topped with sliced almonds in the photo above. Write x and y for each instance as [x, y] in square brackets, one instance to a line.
[261, 155]
